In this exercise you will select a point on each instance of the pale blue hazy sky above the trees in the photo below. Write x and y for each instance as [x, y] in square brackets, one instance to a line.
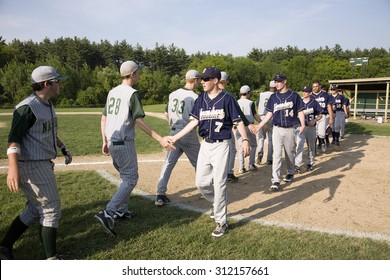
[225, 27]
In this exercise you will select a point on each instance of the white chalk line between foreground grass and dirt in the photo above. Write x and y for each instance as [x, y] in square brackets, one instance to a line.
[358, 234]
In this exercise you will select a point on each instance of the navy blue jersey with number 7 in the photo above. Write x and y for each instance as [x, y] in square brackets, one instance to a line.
[216, 116]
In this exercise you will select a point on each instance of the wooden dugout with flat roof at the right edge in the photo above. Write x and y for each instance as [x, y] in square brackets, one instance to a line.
[367, 96]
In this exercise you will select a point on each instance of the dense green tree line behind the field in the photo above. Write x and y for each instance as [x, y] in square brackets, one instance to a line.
[93, 68]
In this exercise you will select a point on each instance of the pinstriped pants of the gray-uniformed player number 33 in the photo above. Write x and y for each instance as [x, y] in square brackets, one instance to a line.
[188, 144]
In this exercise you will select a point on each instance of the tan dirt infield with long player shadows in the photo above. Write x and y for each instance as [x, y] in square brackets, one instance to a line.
[347, 193]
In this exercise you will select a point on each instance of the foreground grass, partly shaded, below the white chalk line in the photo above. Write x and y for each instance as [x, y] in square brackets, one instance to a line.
[169, 233]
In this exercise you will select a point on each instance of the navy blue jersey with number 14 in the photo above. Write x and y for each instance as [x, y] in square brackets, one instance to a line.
[285, 108]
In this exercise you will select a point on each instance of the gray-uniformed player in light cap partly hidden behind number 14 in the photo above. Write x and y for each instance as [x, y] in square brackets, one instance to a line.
[267, 129]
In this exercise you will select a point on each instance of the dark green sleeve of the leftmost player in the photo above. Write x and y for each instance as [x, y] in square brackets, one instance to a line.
[22, 120]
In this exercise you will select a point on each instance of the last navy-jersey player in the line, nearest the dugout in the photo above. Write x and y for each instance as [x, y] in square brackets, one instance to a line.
[339, 111]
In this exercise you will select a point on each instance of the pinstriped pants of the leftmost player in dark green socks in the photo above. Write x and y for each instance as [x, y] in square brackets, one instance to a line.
[39, 185]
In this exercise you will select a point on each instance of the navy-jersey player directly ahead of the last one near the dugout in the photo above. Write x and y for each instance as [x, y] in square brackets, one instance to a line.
[325, 101]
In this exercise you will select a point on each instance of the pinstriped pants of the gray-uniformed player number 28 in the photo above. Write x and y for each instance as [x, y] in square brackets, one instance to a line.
[124, 158]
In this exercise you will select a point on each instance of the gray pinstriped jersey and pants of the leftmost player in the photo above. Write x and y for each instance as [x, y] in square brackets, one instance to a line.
[34, 128]
